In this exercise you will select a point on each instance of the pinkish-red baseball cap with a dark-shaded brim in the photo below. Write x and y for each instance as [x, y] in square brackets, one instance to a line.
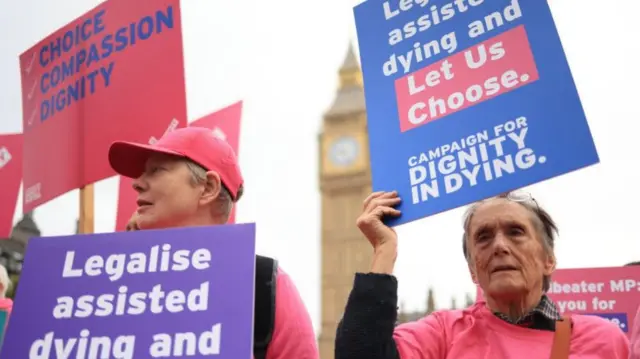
[197, 144]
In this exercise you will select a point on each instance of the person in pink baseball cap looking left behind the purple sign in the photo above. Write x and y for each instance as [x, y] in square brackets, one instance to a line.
[190, 177]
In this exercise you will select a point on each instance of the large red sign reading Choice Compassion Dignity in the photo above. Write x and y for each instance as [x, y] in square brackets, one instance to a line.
[94, 81]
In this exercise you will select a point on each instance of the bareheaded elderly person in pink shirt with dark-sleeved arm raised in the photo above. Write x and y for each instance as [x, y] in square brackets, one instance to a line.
[508, 243]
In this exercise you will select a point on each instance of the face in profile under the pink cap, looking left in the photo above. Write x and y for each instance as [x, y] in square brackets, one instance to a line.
[167, 196]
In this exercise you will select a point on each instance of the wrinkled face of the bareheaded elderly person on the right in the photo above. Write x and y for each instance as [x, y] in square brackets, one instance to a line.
[507, 256]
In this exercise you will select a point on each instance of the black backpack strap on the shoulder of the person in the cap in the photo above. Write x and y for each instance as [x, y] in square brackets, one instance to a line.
[264, 316]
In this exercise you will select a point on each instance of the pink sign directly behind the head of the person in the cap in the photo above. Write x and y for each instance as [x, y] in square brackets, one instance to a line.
[224, 123]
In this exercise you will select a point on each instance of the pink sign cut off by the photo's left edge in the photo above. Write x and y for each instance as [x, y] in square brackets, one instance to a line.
[10, 178]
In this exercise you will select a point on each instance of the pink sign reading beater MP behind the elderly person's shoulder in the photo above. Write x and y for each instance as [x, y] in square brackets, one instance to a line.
[612, 293]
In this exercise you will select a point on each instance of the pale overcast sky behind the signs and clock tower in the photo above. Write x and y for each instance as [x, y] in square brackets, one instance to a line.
[282, 58]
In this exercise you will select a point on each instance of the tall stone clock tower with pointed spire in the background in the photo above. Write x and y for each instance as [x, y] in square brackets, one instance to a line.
[345, 181]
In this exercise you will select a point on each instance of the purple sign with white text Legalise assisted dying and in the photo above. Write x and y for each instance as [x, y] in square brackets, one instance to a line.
[148, 294]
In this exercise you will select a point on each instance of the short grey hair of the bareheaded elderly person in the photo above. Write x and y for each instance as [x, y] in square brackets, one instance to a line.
[546, 226]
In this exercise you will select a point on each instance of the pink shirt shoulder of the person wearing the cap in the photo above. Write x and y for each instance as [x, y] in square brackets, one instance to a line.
[293, 336]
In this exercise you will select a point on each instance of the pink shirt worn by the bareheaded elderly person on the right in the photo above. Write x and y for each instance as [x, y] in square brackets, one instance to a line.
[476, 333]
